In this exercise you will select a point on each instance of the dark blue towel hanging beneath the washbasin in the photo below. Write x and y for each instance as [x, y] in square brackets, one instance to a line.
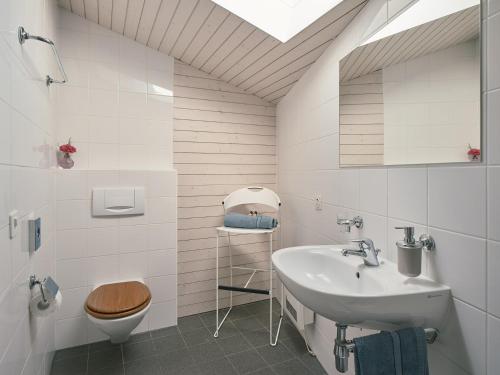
[403, 352]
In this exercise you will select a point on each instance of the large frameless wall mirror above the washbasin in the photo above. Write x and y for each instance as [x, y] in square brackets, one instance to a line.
[411, 94]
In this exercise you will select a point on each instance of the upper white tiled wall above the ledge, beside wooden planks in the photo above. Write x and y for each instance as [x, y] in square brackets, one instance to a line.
[117, 104]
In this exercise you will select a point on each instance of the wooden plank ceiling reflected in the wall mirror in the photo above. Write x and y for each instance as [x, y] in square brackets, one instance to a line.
[430, 37]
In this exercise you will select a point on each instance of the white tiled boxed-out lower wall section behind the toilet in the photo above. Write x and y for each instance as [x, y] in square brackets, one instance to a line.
[91, 251]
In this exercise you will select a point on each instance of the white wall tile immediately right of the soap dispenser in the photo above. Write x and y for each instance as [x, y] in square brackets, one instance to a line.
[456, 256]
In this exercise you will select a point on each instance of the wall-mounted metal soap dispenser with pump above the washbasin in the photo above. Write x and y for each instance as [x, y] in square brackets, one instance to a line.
[410, 251]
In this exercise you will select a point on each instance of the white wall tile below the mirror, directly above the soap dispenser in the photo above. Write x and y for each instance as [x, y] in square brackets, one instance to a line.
[407, 194]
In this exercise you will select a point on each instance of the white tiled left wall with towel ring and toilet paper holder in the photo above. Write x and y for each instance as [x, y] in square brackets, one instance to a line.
[26, 182]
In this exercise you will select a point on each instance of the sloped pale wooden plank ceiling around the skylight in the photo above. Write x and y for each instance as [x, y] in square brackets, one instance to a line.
[208, 37]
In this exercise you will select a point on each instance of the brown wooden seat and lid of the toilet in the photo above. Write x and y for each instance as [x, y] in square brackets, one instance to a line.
[117, 300]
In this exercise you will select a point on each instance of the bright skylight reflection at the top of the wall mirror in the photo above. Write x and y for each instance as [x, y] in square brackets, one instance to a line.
[421, 12]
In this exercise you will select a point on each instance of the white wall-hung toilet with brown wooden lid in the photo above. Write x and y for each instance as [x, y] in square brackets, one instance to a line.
[117, 308]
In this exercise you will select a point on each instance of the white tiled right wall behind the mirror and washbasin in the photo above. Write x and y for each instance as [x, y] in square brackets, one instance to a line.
[458, 205]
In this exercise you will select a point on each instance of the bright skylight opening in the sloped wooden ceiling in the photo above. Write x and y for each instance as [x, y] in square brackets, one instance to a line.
[281, 19]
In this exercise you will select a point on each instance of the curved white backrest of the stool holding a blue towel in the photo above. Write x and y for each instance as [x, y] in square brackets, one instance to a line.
[252, 195]
